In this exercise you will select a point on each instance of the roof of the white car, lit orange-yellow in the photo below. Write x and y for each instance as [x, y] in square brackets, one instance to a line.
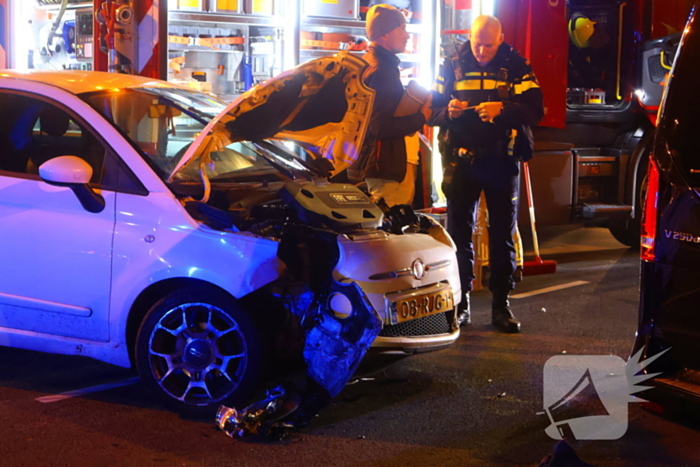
[78, 82]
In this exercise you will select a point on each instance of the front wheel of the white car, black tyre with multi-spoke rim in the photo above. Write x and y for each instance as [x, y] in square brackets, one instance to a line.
[197, 349]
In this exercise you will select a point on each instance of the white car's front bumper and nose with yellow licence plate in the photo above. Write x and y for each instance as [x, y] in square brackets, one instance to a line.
[417, 310]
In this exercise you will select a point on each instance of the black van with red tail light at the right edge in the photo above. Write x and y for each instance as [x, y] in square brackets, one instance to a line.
[669, 315]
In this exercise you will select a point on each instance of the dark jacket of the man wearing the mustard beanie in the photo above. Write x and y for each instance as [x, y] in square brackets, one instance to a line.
[384, 146]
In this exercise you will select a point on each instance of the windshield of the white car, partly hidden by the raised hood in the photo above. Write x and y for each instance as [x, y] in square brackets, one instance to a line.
[163, 122]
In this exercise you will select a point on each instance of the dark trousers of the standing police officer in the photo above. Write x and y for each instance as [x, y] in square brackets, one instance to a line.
[496, 174]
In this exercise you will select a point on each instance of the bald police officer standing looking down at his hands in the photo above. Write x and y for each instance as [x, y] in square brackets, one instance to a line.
[485, 98]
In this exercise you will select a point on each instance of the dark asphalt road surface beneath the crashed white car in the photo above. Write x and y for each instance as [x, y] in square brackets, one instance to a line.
[474, 404]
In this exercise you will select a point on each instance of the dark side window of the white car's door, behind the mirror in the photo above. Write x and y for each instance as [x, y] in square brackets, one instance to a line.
[35, 131]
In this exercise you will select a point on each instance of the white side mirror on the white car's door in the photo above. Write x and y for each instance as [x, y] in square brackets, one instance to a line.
[74, 173]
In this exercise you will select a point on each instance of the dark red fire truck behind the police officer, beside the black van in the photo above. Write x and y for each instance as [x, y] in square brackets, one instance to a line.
[601, 66]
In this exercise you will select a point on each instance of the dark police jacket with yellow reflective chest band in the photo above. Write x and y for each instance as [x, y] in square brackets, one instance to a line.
[508, 78]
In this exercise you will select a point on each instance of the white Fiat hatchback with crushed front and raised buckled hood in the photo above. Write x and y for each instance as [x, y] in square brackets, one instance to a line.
[149, 225]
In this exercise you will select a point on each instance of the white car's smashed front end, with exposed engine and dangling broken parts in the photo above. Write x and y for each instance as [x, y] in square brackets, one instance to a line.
[352, 287]
